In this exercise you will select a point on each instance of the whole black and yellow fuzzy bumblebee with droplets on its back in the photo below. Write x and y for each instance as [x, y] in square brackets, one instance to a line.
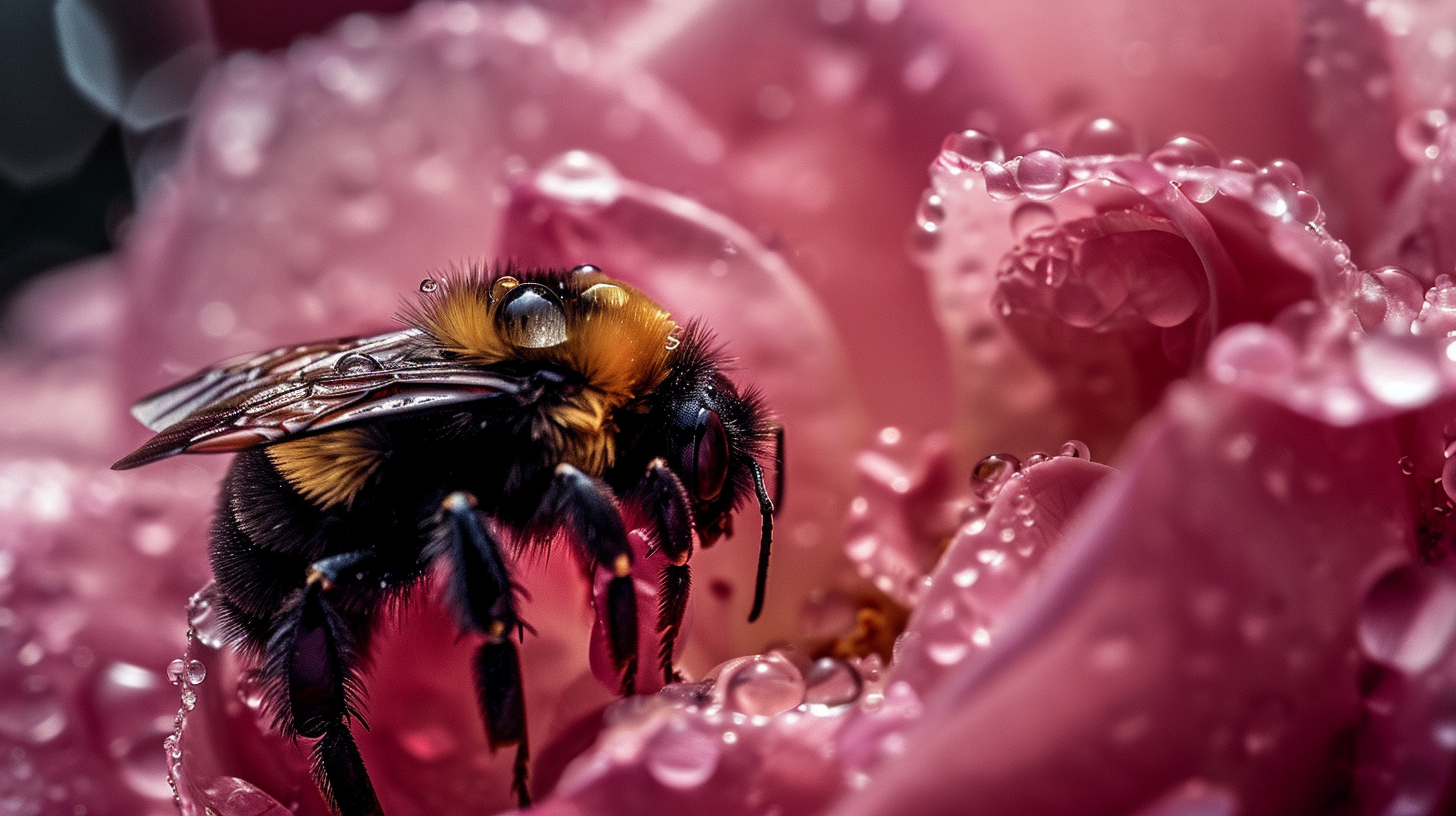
[518, 409]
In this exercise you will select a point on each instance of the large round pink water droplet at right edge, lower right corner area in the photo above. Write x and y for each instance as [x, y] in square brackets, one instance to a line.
[1409, 619]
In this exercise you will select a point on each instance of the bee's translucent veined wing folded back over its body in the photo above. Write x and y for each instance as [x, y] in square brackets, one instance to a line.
[309, 390]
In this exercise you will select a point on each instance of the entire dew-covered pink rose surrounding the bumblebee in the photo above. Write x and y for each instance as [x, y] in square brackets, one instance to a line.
[1222, 589]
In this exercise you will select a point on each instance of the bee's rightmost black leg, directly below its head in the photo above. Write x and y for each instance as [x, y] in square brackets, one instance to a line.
[666, 501]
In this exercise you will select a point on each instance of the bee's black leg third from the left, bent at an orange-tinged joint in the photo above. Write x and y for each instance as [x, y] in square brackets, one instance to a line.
[589, 511]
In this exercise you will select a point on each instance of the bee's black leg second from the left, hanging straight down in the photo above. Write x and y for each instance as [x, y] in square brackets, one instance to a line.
[484, 597]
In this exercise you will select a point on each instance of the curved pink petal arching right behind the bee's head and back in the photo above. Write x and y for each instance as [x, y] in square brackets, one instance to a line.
[701, 266]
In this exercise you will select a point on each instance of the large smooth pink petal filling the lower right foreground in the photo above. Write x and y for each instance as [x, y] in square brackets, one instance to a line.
[1199, 624]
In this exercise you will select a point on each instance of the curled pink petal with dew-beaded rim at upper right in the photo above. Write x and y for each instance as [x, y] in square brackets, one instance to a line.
[1075, 289]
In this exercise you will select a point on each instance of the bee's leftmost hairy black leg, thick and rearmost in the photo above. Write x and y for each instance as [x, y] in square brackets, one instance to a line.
[312, 656]
